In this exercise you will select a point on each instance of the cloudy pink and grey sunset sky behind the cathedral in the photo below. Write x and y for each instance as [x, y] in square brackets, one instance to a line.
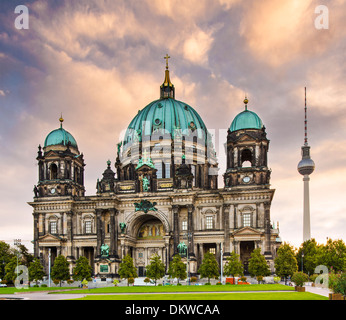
[99, 62]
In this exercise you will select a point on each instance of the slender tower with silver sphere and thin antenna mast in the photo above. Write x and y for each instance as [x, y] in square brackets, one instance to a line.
[306, 166]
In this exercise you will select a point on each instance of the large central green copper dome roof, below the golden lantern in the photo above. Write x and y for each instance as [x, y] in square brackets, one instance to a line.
[165, 116]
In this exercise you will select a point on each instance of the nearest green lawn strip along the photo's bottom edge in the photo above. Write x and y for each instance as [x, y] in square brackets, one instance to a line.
[212, 296]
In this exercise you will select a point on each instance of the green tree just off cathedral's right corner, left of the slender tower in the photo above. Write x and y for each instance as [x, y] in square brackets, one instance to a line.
[285, 262]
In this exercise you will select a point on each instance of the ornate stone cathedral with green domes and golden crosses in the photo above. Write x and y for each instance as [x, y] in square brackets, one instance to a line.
[163, 195]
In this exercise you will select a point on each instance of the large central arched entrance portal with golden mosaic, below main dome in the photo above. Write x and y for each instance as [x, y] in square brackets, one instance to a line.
[148, 236]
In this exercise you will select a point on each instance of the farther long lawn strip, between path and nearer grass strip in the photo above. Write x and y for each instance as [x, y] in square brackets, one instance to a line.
[203, 288]
